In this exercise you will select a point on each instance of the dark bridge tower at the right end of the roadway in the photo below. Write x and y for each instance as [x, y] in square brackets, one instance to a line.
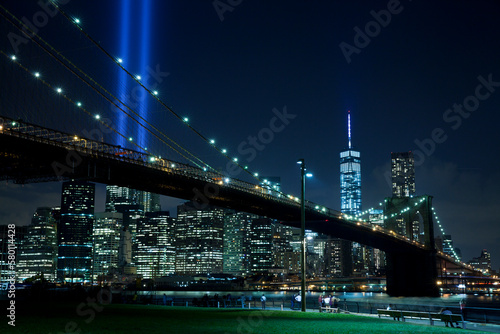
[411, 273]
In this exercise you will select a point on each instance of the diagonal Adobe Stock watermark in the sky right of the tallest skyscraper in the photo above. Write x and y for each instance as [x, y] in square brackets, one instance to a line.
[454, 118]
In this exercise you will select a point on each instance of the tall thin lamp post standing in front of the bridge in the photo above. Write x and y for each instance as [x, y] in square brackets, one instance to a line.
[303, 232]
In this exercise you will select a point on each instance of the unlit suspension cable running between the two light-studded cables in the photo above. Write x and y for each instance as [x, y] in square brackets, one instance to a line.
[102, 88]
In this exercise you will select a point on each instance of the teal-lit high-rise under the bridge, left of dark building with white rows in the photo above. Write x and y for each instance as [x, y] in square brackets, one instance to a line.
[236, 253]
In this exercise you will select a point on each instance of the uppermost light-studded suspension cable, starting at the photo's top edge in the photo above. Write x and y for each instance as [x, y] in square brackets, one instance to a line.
[98, 45]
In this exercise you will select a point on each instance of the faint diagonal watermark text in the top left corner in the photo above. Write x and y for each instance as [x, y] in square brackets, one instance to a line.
[31, 26]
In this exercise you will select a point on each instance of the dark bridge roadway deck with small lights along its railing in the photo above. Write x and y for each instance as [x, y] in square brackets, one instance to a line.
[30, 153]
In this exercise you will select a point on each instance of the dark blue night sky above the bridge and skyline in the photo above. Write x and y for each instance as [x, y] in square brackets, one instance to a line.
[420, 76]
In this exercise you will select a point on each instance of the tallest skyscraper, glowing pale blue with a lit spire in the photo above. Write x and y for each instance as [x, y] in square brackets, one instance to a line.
[350, 203]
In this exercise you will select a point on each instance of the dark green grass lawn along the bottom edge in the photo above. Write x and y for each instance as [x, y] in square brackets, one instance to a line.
[69, 318]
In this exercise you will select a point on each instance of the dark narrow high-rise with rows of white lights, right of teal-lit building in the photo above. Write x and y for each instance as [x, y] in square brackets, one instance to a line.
[261, 245]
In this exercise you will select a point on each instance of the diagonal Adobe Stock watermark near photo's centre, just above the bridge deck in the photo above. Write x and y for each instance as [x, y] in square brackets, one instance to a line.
[248, 149]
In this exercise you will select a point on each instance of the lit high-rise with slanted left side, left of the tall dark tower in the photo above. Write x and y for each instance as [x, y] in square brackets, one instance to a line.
[37, 255]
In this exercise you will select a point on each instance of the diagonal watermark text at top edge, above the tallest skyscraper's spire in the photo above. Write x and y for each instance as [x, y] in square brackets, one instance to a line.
[372, 29]
